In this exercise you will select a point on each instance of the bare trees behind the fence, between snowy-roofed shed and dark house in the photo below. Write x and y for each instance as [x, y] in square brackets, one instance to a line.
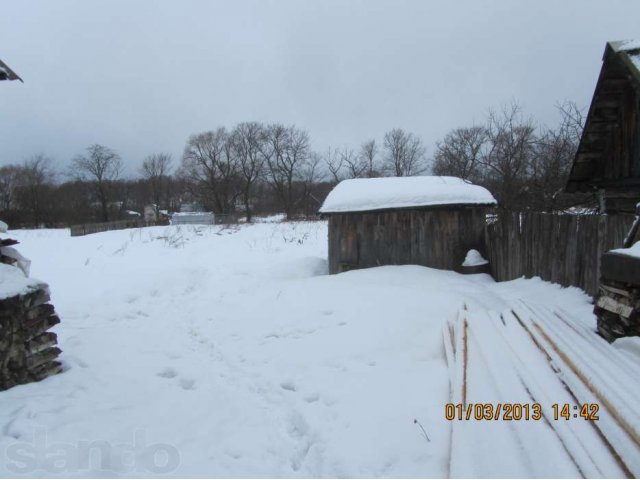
[524, 165]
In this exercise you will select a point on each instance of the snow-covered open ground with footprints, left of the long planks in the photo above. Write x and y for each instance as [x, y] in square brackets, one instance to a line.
[232, 353]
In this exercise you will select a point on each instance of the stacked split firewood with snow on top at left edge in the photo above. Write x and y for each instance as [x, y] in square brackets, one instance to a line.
[28, 351]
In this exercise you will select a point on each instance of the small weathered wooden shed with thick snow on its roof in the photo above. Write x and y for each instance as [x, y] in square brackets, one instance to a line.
[430, 221]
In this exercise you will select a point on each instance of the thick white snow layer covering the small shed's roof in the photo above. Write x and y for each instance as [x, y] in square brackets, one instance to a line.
[364, 194]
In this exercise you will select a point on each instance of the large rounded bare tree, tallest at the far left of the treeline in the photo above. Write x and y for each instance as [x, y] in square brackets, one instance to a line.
[101, 166]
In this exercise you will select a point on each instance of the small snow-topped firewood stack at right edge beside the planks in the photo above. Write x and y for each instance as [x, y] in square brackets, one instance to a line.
[617, 309]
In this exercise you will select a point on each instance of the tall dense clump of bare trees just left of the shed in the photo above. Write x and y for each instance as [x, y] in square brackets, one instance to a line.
[223, 168]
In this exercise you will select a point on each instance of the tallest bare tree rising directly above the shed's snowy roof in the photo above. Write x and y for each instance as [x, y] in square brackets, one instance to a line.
[404, 153]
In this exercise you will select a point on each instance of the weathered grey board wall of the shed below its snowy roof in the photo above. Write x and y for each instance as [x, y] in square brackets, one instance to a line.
[437, 237]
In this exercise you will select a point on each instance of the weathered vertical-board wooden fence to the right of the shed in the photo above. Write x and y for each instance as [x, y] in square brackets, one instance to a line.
[564, 249]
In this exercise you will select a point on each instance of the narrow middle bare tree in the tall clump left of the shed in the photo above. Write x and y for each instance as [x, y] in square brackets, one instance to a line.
[247, 142]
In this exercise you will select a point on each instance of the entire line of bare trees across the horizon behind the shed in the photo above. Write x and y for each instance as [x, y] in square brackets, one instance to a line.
[268, 168]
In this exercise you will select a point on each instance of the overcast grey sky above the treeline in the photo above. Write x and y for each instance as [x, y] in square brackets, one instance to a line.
[141, 76]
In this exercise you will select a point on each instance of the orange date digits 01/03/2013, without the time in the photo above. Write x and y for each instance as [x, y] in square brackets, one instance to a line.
[491, 411]
